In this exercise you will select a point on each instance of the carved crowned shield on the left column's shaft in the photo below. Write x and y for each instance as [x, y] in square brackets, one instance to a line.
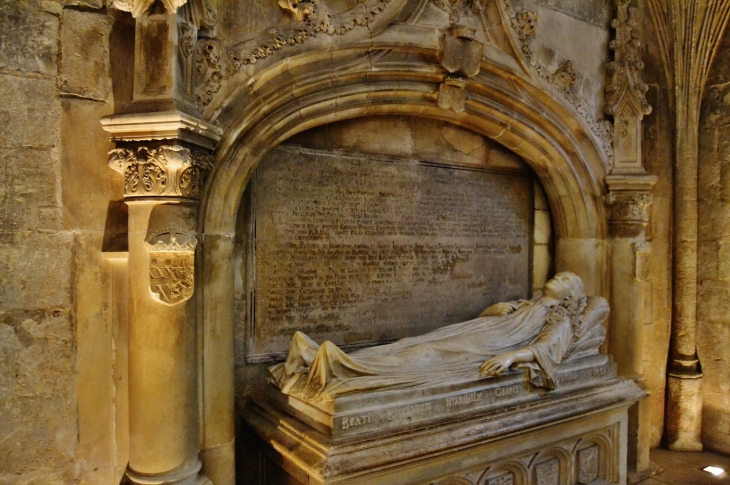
[172, 266]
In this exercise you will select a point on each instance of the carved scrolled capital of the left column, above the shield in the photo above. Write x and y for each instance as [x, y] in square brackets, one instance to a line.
[167, 171]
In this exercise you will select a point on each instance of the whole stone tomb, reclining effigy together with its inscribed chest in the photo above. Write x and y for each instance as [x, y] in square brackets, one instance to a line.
[493, 430]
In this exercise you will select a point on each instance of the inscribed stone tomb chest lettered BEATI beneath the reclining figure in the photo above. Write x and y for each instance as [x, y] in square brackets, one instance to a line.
[576, 434]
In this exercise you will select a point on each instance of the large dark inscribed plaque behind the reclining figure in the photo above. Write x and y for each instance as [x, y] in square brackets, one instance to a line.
[362, 250]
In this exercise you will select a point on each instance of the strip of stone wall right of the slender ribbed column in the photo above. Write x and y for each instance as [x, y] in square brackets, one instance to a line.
[713, 314]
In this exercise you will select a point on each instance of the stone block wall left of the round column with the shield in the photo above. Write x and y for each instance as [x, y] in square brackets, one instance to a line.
[57, 415]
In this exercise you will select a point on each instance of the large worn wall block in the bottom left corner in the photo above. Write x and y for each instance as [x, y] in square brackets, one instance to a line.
[38, 417]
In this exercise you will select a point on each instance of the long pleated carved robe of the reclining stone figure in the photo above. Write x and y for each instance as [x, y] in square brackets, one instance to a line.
[450, 354]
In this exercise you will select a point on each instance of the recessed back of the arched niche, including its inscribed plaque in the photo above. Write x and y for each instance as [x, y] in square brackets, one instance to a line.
[379, 228]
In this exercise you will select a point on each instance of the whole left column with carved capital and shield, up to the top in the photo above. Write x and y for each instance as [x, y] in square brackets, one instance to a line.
[164, 152]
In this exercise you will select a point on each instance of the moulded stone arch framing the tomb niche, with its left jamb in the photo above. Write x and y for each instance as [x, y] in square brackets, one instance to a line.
[299, 94]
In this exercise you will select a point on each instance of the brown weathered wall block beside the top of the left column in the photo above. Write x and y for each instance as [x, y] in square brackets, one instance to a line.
[84, 68]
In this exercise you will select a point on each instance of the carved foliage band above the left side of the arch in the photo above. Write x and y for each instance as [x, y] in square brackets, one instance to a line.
[309, 18]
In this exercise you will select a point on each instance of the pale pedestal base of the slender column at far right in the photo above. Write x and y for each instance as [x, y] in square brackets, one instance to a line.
[684, 412]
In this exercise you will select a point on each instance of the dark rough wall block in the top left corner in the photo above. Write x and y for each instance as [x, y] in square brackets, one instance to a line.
[29, 37]
